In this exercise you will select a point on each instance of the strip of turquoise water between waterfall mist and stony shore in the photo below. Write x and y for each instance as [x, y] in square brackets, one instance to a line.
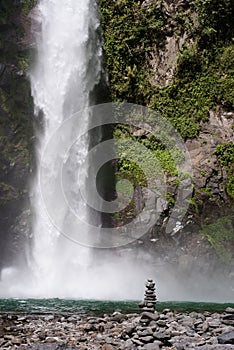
[98, 307]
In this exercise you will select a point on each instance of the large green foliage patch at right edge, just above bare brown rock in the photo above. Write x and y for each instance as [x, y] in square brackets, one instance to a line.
[203, 81]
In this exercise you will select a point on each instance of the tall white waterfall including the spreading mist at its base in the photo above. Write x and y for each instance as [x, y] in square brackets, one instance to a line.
[65, 75]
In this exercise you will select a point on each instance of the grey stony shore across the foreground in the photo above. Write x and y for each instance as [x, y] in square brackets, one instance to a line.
[149, 331]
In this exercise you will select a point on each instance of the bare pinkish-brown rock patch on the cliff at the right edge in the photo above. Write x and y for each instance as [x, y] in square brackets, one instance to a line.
[208, 173]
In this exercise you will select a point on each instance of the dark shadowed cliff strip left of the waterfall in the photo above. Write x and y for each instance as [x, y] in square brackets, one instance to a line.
[16, 132]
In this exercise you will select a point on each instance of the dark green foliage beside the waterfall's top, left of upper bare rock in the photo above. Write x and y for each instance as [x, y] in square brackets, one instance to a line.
[130, 31]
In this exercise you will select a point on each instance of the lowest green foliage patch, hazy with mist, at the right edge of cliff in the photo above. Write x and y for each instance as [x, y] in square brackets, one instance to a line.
[220, 235]
